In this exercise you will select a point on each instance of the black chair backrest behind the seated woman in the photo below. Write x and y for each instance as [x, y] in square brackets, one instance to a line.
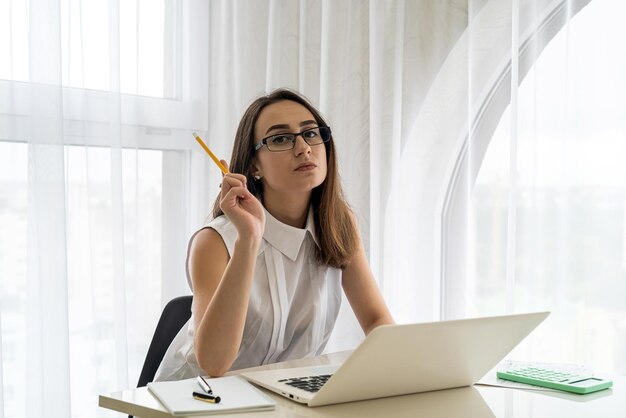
[175, 314]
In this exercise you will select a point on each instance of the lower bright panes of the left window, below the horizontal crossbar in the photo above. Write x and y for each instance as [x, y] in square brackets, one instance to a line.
[91, 264]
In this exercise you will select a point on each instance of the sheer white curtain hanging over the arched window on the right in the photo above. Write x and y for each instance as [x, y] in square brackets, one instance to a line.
[531, 212]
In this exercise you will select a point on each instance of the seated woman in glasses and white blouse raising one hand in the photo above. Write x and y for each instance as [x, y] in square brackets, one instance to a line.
[267, 271]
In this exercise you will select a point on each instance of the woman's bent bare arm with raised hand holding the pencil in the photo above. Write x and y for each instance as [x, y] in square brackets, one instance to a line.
[221, 285]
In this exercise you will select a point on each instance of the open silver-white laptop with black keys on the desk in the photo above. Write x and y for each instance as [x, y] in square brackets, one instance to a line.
[408, 358]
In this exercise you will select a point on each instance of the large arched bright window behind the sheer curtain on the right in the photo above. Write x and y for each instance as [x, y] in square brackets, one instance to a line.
[569, 197]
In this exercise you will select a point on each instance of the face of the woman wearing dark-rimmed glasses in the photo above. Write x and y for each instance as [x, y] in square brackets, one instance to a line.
[292, 171]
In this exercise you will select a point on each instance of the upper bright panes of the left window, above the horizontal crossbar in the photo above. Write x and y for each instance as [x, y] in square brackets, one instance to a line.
[145, 36]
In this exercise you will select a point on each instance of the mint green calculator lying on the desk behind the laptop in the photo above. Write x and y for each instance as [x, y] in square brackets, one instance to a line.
[555, 379]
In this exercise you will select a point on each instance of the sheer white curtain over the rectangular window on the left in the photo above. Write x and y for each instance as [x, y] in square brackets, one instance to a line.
[97, 100]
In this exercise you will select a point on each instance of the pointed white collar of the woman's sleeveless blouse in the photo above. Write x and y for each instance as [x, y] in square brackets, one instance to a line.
[288, 239]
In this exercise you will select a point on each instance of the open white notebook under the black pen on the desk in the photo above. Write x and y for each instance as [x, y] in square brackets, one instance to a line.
[236, 395]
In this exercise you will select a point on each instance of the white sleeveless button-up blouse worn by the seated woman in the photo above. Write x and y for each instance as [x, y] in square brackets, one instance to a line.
[293, 305]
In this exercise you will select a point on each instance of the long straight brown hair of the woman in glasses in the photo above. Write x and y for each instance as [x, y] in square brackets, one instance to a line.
[334, 222]
